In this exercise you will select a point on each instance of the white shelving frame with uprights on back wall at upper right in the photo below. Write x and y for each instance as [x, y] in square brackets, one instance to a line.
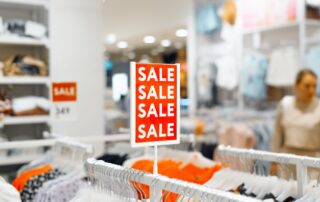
[301, 28]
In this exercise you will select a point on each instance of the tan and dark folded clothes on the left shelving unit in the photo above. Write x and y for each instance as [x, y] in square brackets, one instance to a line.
[21, 65]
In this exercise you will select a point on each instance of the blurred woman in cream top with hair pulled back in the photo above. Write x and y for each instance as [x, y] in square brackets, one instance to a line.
[297, 127]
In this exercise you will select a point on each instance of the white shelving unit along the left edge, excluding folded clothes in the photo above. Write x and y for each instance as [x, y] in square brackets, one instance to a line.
[32, 126]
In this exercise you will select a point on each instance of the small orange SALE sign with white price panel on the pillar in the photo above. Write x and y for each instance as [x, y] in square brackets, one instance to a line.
[64, 97]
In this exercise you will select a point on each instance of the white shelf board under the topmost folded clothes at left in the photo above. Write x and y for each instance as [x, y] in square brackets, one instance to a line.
[24, 41]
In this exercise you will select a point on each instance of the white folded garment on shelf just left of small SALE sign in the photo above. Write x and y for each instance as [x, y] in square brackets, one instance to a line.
[28, 103]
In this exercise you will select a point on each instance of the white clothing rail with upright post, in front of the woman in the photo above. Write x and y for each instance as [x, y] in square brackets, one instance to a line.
[301, 162]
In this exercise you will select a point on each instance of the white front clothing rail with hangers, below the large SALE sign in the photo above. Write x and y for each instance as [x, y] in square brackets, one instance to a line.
[106, 174]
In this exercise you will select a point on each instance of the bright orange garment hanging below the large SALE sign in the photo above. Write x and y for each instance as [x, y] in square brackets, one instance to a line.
[173, 169]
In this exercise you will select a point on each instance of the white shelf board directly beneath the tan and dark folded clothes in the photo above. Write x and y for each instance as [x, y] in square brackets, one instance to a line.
[24, 80]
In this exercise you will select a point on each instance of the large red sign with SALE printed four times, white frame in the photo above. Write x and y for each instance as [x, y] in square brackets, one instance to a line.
[155, 104]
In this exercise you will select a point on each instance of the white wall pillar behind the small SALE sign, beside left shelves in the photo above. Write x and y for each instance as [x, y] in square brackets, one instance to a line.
[77, 55]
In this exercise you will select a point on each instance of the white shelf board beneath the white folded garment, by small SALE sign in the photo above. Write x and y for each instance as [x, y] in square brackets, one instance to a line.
[20, 120]
